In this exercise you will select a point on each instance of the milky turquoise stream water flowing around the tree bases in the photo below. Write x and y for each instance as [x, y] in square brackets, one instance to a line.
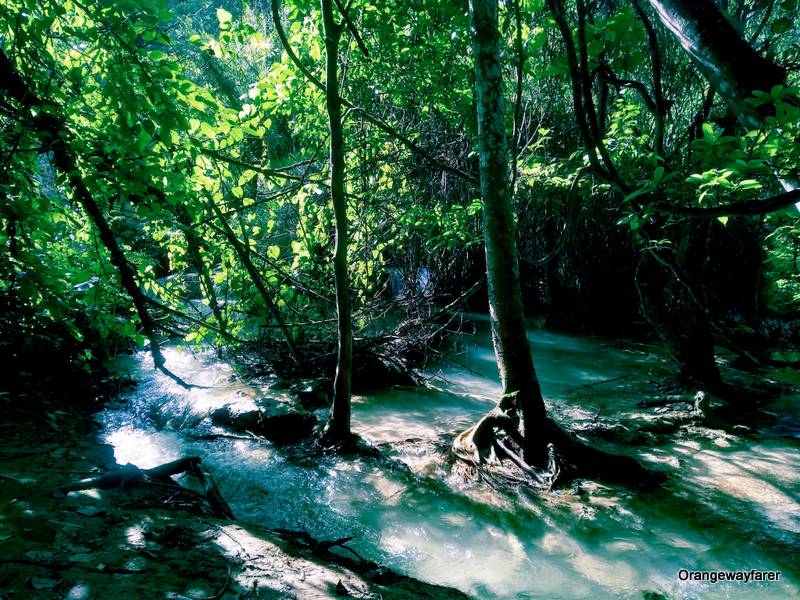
[732, 502]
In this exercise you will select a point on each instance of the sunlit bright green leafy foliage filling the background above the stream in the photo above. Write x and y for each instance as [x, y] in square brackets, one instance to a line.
[175, 109]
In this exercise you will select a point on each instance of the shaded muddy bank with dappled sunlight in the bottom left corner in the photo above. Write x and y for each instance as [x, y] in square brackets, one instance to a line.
[138, 542]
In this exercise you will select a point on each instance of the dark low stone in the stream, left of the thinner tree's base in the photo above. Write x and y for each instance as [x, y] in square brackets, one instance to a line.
[272, 421]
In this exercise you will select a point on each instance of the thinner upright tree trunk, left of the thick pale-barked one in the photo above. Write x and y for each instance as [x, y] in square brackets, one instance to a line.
[338, 427]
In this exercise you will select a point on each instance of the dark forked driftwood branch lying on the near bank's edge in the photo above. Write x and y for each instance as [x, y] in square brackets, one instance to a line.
[160, 476]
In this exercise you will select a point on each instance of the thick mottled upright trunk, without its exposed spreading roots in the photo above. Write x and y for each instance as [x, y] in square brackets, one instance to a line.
[509, 336]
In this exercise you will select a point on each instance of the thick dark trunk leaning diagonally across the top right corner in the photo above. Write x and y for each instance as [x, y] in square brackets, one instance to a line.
[729, 63]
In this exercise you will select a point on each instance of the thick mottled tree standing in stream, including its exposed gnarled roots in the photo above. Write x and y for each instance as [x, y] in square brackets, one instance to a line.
[545, 447]
